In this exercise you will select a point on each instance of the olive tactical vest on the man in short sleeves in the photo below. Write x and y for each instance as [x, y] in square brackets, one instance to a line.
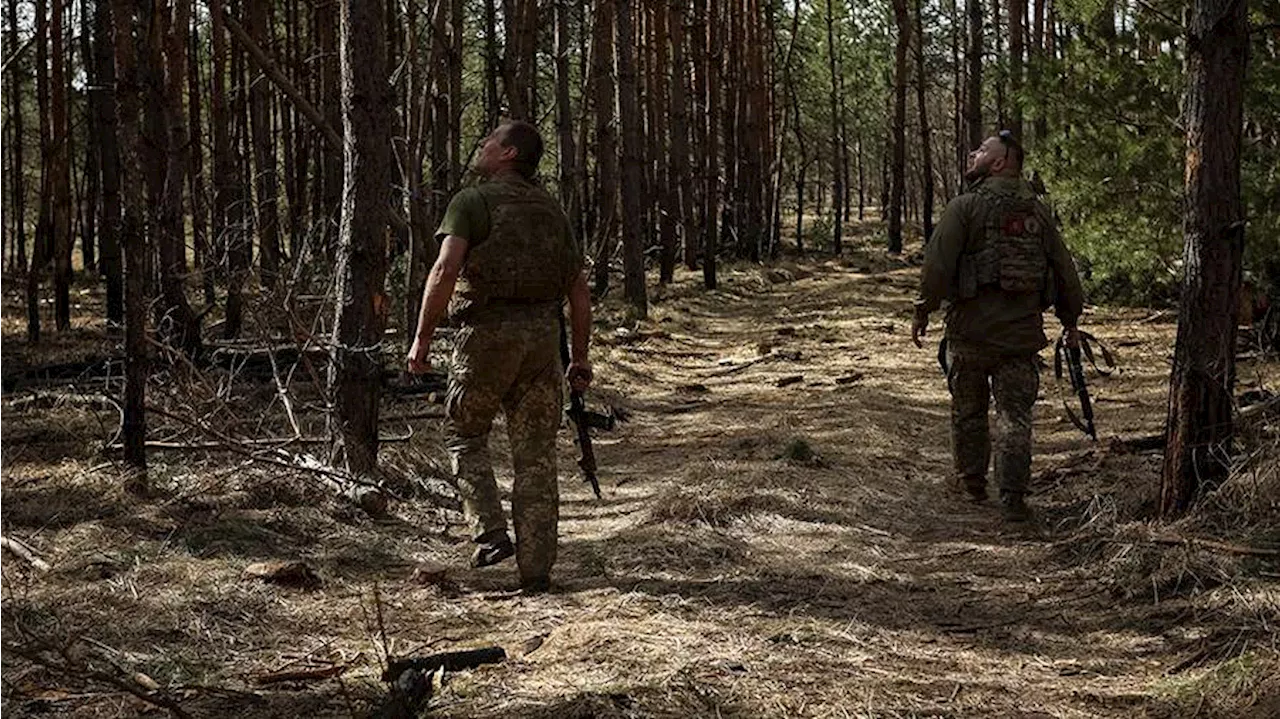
[529, 257]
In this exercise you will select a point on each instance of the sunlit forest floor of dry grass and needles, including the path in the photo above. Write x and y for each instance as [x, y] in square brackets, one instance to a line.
[766, 546]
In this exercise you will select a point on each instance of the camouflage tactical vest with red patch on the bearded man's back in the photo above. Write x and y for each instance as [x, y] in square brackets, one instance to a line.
[1012, 250]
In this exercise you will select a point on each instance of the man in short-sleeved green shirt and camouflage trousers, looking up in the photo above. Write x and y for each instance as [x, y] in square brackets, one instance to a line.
[508, 264]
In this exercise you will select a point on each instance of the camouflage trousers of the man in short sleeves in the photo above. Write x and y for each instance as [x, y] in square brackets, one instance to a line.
[510, 365]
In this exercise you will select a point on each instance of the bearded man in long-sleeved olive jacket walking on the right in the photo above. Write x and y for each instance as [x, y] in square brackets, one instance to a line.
[999, 260]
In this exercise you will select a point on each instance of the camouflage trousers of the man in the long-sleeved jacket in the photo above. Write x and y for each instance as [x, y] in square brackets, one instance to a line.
[976, 377]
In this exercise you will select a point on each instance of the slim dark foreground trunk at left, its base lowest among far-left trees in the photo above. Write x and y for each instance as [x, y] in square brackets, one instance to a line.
[129, 95]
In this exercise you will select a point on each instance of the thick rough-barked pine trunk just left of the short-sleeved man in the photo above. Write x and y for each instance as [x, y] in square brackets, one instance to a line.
[368, 103]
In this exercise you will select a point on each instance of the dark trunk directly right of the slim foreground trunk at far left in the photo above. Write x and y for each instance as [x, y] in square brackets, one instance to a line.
[170, 51]
